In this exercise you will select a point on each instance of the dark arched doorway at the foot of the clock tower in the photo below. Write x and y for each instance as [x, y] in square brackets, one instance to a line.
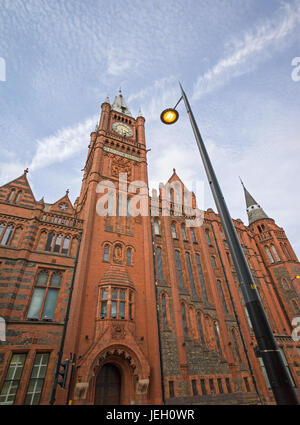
[108, 385]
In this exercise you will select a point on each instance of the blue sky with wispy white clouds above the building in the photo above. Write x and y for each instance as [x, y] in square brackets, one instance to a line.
[238, 61]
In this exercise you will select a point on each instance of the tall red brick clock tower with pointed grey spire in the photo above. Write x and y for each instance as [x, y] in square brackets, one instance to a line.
[112, 331]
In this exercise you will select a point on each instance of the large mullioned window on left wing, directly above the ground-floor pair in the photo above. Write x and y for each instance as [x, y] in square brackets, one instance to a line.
[43, 301]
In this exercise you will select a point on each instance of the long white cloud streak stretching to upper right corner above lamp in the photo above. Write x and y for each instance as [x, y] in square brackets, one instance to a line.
[250, 50]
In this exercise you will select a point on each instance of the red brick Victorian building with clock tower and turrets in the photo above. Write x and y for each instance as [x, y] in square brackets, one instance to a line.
[156, 314]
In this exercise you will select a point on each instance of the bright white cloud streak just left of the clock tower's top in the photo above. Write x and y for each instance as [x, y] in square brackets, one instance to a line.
[63, 144]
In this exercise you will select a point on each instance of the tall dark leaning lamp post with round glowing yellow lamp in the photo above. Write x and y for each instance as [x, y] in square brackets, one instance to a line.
[280, 382]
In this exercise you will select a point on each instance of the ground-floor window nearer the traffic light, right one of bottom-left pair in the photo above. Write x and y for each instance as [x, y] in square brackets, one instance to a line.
[37, 379]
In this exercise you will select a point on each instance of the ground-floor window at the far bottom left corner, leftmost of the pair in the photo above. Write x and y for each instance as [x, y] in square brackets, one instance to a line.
[12, 379]
